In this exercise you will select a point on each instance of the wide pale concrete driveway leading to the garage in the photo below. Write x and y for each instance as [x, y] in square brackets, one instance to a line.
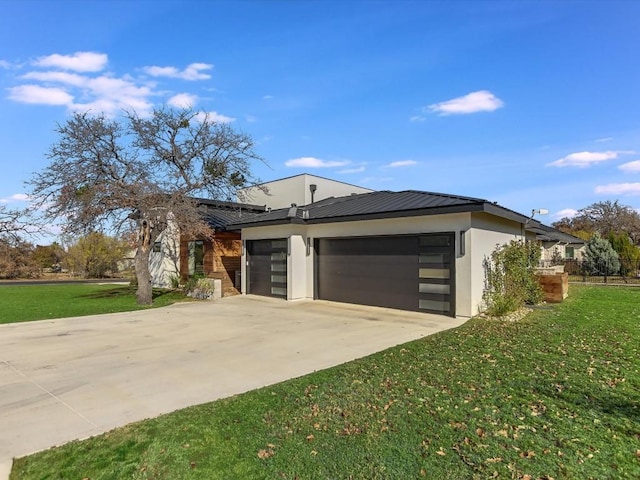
[72, 378]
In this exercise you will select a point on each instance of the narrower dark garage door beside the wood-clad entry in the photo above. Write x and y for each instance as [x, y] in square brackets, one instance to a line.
[267, 268]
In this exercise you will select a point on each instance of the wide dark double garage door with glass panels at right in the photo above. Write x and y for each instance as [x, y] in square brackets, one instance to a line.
[405, 272]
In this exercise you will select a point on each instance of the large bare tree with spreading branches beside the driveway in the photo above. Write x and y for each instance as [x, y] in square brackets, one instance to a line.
[141, 173]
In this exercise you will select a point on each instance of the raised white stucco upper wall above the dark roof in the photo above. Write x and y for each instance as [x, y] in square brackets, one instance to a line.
[282, 193]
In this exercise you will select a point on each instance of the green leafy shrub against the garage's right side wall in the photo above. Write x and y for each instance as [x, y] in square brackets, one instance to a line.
[510, 280]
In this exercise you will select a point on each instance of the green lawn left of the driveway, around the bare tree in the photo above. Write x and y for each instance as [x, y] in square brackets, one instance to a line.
[40, 302]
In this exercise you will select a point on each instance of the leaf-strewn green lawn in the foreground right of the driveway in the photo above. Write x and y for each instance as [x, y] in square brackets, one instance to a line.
[555, 395]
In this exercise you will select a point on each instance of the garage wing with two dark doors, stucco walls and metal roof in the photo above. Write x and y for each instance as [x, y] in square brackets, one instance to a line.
[409, 250]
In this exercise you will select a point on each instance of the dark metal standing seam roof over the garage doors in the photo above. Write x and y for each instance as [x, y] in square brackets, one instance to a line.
[380, 204]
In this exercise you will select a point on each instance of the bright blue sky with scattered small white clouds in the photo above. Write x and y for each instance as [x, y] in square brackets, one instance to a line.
[529, 104]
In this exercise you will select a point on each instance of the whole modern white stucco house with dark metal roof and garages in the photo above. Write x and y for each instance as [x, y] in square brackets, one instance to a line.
[308, 237]
